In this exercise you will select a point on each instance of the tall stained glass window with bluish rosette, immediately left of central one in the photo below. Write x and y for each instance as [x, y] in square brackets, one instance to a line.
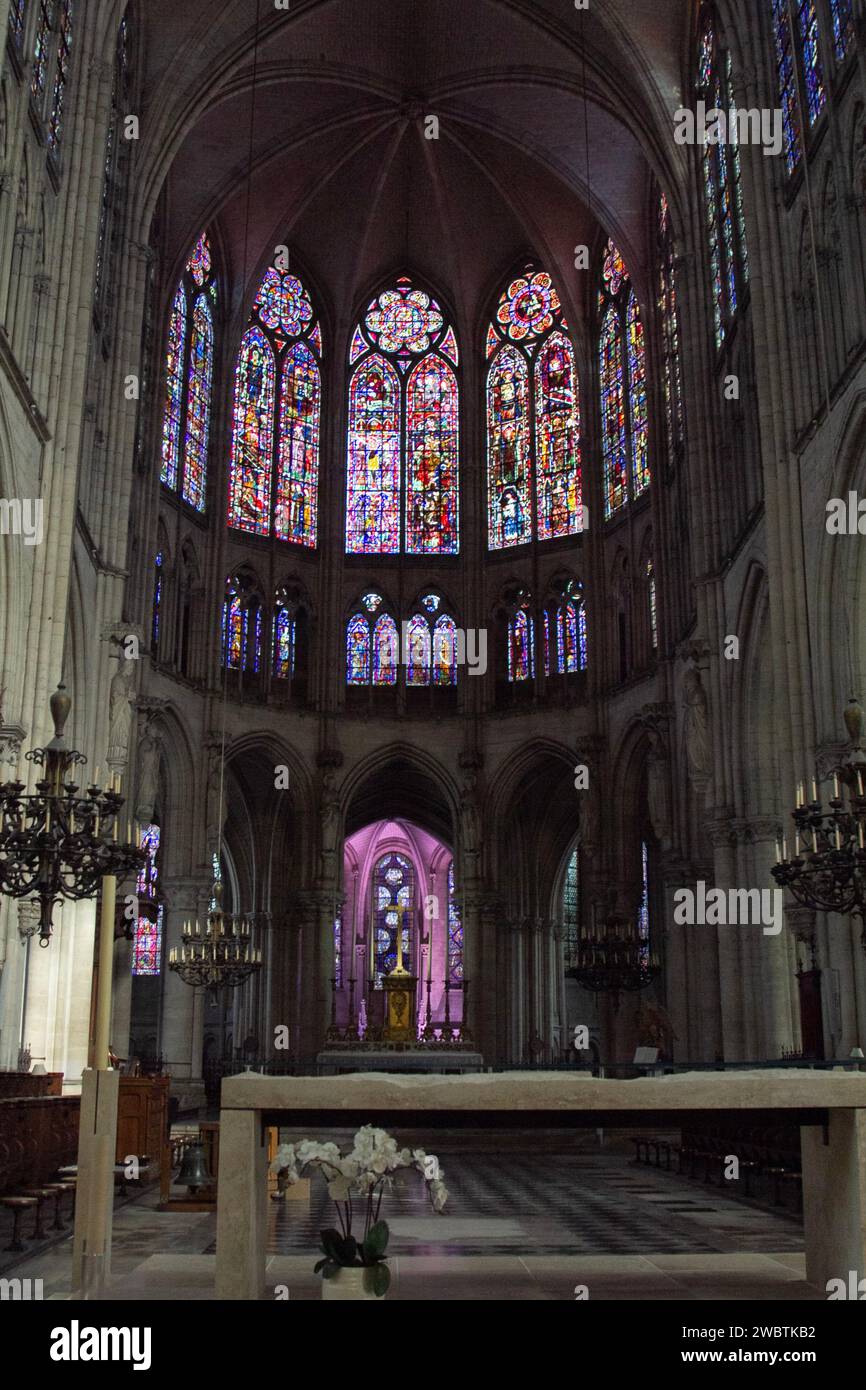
[275, 458]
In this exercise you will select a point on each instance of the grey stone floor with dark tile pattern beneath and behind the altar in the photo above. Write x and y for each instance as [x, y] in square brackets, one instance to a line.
[519, 1227]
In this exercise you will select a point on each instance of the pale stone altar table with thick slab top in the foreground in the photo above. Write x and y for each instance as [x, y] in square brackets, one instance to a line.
[829, 1107]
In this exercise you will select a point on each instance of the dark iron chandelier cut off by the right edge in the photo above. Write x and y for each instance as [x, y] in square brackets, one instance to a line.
[828, 871]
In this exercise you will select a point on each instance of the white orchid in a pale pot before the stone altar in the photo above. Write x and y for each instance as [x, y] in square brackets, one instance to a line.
[355, 1254]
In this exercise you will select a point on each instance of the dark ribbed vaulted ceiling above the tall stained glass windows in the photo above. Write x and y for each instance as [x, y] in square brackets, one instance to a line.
[551, 122]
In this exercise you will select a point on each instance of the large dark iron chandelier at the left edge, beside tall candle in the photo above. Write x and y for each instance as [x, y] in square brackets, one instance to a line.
[59, 842]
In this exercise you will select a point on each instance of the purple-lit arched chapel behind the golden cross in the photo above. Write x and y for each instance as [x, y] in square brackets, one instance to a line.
[401, 906]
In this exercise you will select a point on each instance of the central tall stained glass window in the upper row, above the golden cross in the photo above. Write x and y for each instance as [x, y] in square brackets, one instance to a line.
[402, 473]
